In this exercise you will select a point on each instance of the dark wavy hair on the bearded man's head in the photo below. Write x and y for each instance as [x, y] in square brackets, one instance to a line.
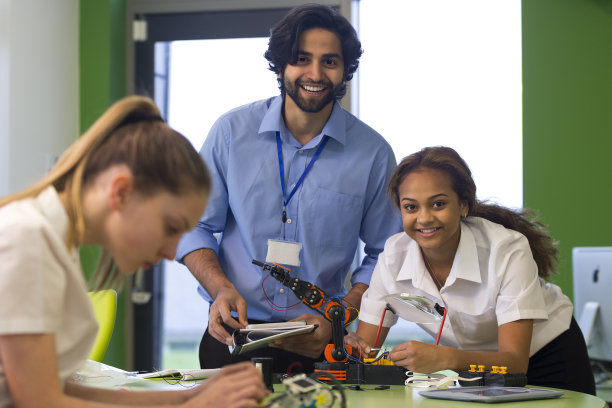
[283, 46]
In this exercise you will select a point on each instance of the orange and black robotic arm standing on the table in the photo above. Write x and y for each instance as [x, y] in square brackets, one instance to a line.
[312, 296]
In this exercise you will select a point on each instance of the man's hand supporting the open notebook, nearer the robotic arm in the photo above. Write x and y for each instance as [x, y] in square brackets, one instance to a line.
[311, 344]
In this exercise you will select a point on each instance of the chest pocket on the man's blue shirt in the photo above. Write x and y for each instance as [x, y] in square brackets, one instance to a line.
[335, 218]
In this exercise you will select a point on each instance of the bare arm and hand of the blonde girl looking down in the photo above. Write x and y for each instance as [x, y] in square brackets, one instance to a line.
[30, 366]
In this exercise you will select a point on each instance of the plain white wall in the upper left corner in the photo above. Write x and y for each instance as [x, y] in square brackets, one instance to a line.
[39, 87]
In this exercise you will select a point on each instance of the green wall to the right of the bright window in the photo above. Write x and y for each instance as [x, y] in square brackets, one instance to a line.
[567, 122]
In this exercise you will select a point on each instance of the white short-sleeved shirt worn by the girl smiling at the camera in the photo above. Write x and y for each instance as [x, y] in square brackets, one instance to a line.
[494, 280]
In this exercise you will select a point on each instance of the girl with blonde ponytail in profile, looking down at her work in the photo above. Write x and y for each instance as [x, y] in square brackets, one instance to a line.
[133, 186]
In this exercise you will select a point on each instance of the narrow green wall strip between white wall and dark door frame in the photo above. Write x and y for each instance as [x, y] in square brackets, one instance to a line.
[102, 82]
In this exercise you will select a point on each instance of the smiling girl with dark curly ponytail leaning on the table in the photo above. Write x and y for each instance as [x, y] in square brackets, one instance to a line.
[486, 265]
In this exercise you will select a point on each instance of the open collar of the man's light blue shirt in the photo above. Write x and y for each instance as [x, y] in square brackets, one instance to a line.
[334, 128]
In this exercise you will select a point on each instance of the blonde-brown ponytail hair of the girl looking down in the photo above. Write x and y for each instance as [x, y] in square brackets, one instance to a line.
[130, 132]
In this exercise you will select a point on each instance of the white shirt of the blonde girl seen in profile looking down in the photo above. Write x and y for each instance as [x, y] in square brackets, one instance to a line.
[42, 288]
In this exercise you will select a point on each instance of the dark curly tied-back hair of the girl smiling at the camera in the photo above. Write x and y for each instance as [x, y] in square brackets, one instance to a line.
[445, 159]
